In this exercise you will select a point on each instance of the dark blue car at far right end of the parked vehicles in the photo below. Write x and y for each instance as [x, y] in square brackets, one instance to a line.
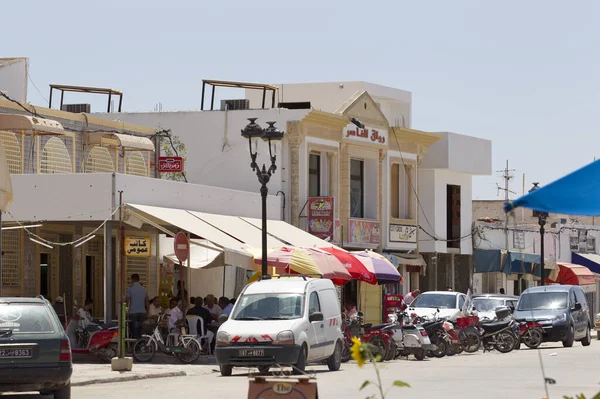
[562, 310]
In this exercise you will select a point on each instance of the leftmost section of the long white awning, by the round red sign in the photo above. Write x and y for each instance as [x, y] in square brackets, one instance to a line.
[234, 254]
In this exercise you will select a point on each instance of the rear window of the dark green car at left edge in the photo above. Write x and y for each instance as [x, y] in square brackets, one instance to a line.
[25, 318]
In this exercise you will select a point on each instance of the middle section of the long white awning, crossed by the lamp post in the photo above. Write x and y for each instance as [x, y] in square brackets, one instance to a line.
[240, 229]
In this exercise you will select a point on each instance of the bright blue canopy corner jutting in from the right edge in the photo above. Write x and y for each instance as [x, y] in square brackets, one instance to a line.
[577, 193]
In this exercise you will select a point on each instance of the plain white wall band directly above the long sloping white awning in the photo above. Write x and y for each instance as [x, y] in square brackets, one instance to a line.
[89, 196]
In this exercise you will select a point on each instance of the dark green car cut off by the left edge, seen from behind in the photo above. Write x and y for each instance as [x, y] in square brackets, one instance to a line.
[35, 354]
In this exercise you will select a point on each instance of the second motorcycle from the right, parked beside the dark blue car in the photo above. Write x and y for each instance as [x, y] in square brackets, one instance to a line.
[499, 333]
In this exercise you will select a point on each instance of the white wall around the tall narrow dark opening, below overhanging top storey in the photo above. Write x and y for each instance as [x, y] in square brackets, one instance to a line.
[435, 207]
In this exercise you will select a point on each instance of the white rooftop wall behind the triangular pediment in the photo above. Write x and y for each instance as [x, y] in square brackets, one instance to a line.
[395, 104]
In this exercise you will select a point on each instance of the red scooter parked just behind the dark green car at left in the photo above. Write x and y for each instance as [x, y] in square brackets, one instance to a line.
[101, 342]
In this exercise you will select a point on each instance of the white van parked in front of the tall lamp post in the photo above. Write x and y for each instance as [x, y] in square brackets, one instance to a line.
[282, 321]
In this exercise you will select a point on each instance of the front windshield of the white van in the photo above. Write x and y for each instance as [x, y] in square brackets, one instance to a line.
[269, 306]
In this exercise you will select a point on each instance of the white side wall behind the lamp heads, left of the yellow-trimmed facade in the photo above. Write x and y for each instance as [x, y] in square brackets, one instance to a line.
[217, 153]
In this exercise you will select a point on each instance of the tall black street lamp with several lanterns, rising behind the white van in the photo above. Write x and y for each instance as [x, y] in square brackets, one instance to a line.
[272, 135]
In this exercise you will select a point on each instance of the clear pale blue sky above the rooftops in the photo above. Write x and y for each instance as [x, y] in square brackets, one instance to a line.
[525, 74]
